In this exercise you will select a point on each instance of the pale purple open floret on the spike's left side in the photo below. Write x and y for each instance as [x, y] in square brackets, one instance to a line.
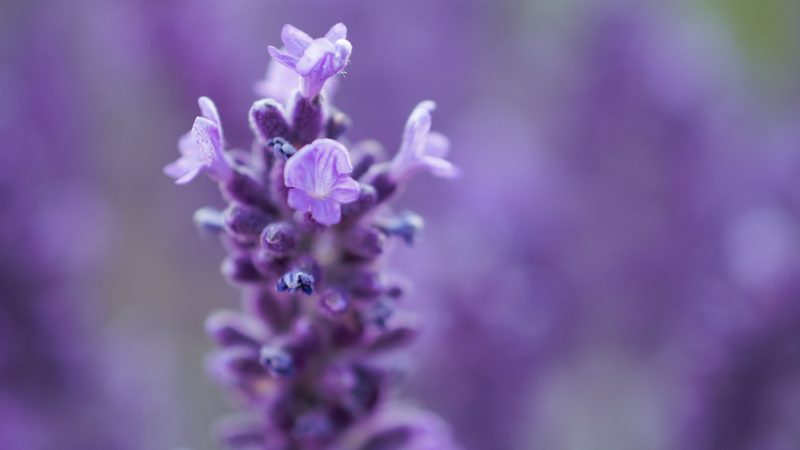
[203, 148]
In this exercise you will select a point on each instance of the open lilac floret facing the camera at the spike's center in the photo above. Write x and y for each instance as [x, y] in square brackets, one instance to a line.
[318, 176]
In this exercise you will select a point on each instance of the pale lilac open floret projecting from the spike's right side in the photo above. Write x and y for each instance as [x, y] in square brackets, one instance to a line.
[422, 148]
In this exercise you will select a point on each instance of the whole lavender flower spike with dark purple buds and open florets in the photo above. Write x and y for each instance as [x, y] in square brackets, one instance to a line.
[306, 357]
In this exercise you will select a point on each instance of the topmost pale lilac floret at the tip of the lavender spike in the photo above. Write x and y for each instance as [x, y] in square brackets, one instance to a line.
[315, 60]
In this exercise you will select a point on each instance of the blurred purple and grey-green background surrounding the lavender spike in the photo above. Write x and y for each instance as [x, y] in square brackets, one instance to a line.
[619, 267]
